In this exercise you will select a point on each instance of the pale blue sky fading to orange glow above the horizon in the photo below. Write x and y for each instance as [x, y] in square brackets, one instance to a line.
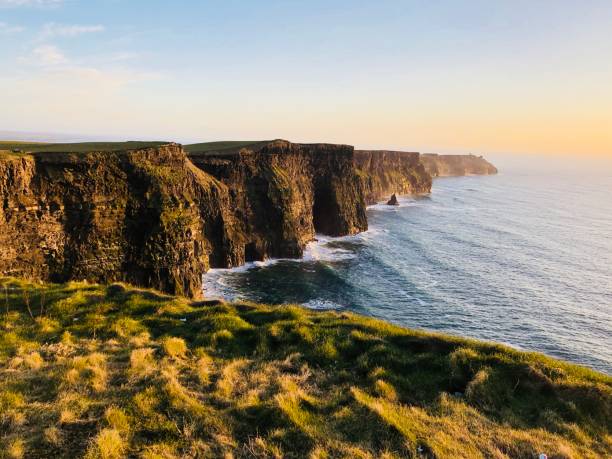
[435, 76]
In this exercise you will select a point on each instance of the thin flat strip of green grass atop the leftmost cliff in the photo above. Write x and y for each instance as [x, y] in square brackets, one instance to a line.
[83, 147]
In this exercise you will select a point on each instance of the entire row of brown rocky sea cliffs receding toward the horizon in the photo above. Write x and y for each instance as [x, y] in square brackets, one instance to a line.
[159, 215]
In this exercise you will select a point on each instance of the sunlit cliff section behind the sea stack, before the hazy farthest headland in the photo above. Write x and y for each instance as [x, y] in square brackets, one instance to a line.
[383, 173]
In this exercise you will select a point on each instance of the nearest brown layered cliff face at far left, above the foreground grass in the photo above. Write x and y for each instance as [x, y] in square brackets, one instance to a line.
[148, 217]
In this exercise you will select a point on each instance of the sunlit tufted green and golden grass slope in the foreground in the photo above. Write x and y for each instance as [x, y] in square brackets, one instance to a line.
[111, 371]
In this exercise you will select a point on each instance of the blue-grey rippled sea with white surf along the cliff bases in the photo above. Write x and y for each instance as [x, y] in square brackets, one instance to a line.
[523, 258]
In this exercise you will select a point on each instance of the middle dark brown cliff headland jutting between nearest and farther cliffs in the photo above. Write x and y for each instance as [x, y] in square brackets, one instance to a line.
[283, 193]
